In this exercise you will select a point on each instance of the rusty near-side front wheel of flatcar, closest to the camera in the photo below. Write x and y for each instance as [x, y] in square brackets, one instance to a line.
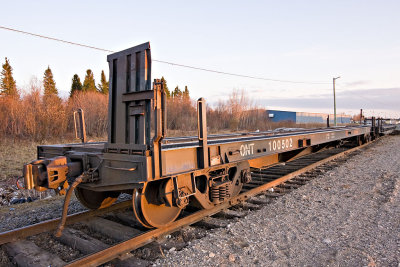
[153, 204]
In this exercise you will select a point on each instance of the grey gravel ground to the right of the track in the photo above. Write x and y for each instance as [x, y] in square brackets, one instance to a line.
[350, 216]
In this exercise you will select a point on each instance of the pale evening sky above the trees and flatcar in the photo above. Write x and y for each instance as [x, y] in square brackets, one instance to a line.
[307, 41]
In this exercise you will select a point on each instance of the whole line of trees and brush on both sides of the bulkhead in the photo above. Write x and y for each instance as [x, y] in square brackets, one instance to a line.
[41, 114]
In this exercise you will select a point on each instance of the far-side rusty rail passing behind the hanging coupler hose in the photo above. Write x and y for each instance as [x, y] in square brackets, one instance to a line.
[34, 229]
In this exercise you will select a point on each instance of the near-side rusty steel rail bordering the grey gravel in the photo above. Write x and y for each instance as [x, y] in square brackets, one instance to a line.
[123, 249]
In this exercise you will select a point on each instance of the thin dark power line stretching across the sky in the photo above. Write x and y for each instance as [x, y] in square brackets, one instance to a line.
[162, 61]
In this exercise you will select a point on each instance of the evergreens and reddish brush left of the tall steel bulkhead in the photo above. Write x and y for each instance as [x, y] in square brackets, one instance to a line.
[39, 113]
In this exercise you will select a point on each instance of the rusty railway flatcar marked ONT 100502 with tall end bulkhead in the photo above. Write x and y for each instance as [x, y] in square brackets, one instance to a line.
[165, 175]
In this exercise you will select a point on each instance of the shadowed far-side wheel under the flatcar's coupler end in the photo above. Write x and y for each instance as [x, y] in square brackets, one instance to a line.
[96, 200]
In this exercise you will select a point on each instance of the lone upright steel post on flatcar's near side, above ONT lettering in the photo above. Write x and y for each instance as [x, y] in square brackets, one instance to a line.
[202, 132]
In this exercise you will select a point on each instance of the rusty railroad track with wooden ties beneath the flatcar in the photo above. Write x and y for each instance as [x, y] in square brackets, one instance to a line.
[110, 235]
